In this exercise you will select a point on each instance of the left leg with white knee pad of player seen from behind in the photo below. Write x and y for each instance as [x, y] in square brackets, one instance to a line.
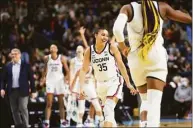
[144, 105]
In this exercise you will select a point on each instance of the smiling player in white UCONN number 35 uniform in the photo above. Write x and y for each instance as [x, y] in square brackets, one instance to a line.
[103, 58]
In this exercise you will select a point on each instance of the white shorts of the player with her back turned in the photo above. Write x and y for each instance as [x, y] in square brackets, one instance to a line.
[155, 66]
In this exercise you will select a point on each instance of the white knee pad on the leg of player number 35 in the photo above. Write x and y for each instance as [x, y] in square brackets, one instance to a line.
[109, 110]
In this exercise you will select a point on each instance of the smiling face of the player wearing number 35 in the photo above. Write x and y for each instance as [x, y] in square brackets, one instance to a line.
[102, 36]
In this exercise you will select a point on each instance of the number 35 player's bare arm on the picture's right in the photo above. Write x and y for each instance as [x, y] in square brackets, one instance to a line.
[114, 50]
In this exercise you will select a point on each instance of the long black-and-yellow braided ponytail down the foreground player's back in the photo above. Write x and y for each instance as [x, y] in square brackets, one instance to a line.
[151, 23]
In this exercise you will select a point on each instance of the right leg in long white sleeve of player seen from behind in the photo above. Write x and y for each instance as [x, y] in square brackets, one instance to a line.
[154, 96]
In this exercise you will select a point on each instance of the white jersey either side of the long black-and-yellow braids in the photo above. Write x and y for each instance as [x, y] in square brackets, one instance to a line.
[135, 27]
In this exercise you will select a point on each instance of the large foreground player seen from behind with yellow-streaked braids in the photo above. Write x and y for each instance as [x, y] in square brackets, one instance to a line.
[147, 58]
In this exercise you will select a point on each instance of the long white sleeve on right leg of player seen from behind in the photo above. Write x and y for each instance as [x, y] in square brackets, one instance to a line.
[154, 100]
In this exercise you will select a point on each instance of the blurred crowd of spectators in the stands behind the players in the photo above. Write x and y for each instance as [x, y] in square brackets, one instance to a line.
[35, 24]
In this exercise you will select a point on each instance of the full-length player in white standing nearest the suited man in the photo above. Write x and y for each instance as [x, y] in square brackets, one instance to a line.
[55, 83]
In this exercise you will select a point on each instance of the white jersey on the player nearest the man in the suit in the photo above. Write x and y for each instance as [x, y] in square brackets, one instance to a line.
[54, 70]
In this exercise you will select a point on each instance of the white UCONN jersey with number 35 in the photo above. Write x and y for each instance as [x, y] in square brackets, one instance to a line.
[103, 63]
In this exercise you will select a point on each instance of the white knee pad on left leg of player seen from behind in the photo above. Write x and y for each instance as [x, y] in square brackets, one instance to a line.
[144, 103]
